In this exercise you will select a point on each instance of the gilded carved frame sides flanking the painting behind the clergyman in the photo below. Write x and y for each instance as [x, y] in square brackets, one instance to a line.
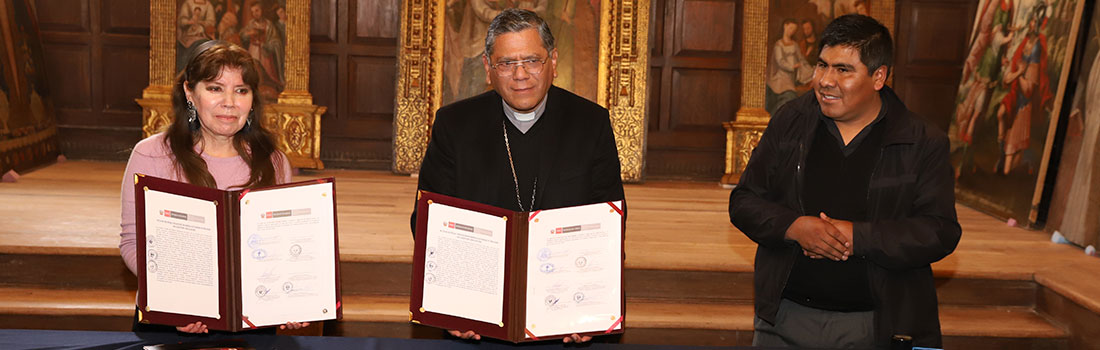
[624, 59]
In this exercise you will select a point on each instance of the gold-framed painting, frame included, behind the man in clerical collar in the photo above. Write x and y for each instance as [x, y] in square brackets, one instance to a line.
[603, 57]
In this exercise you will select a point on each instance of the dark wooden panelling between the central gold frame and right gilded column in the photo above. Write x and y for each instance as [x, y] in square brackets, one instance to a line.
[695, 86]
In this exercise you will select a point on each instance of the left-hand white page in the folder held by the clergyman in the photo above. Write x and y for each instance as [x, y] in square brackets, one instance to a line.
[464, 270]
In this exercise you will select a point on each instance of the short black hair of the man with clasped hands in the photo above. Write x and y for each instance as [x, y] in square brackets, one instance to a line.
[866, 36]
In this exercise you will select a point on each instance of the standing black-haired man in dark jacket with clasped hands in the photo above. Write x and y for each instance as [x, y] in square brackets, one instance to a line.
[851, 199]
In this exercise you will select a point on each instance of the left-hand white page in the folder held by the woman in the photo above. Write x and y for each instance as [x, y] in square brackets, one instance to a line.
[182, 255]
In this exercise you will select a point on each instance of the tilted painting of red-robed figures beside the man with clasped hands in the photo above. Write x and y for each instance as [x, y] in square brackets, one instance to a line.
[1010, 93]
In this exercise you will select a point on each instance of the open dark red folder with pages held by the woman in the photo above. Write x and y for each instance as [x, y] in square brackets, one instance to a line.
[237, 260]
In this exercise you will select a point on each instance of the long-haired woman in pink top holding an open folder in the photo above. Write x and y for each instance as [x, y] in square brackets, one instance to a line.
[217, 140]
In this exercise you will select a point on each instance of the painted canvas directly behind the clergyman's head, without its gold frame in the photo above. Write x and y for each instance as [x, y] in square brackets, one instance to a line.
[575, 27]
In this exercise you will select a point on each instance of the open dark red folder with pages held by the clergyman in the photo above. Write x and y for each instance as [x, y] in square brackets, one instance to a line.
[519, 277]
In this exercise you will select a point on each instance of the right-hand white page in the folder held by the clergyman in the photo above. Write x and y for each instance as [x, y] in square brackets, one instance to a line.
[575, 270]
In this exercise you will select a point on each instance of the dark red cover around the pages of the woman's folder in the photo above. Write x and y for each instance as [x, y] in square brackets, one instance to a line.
[228, 251]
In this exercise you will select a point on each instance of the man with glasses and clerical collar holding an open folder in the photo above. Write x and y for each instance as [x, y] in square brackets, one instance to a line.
[525, 146]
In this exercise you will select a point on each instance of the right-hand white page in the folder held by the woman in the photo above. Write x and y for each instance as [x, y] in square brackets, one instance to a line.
[288, 256]
